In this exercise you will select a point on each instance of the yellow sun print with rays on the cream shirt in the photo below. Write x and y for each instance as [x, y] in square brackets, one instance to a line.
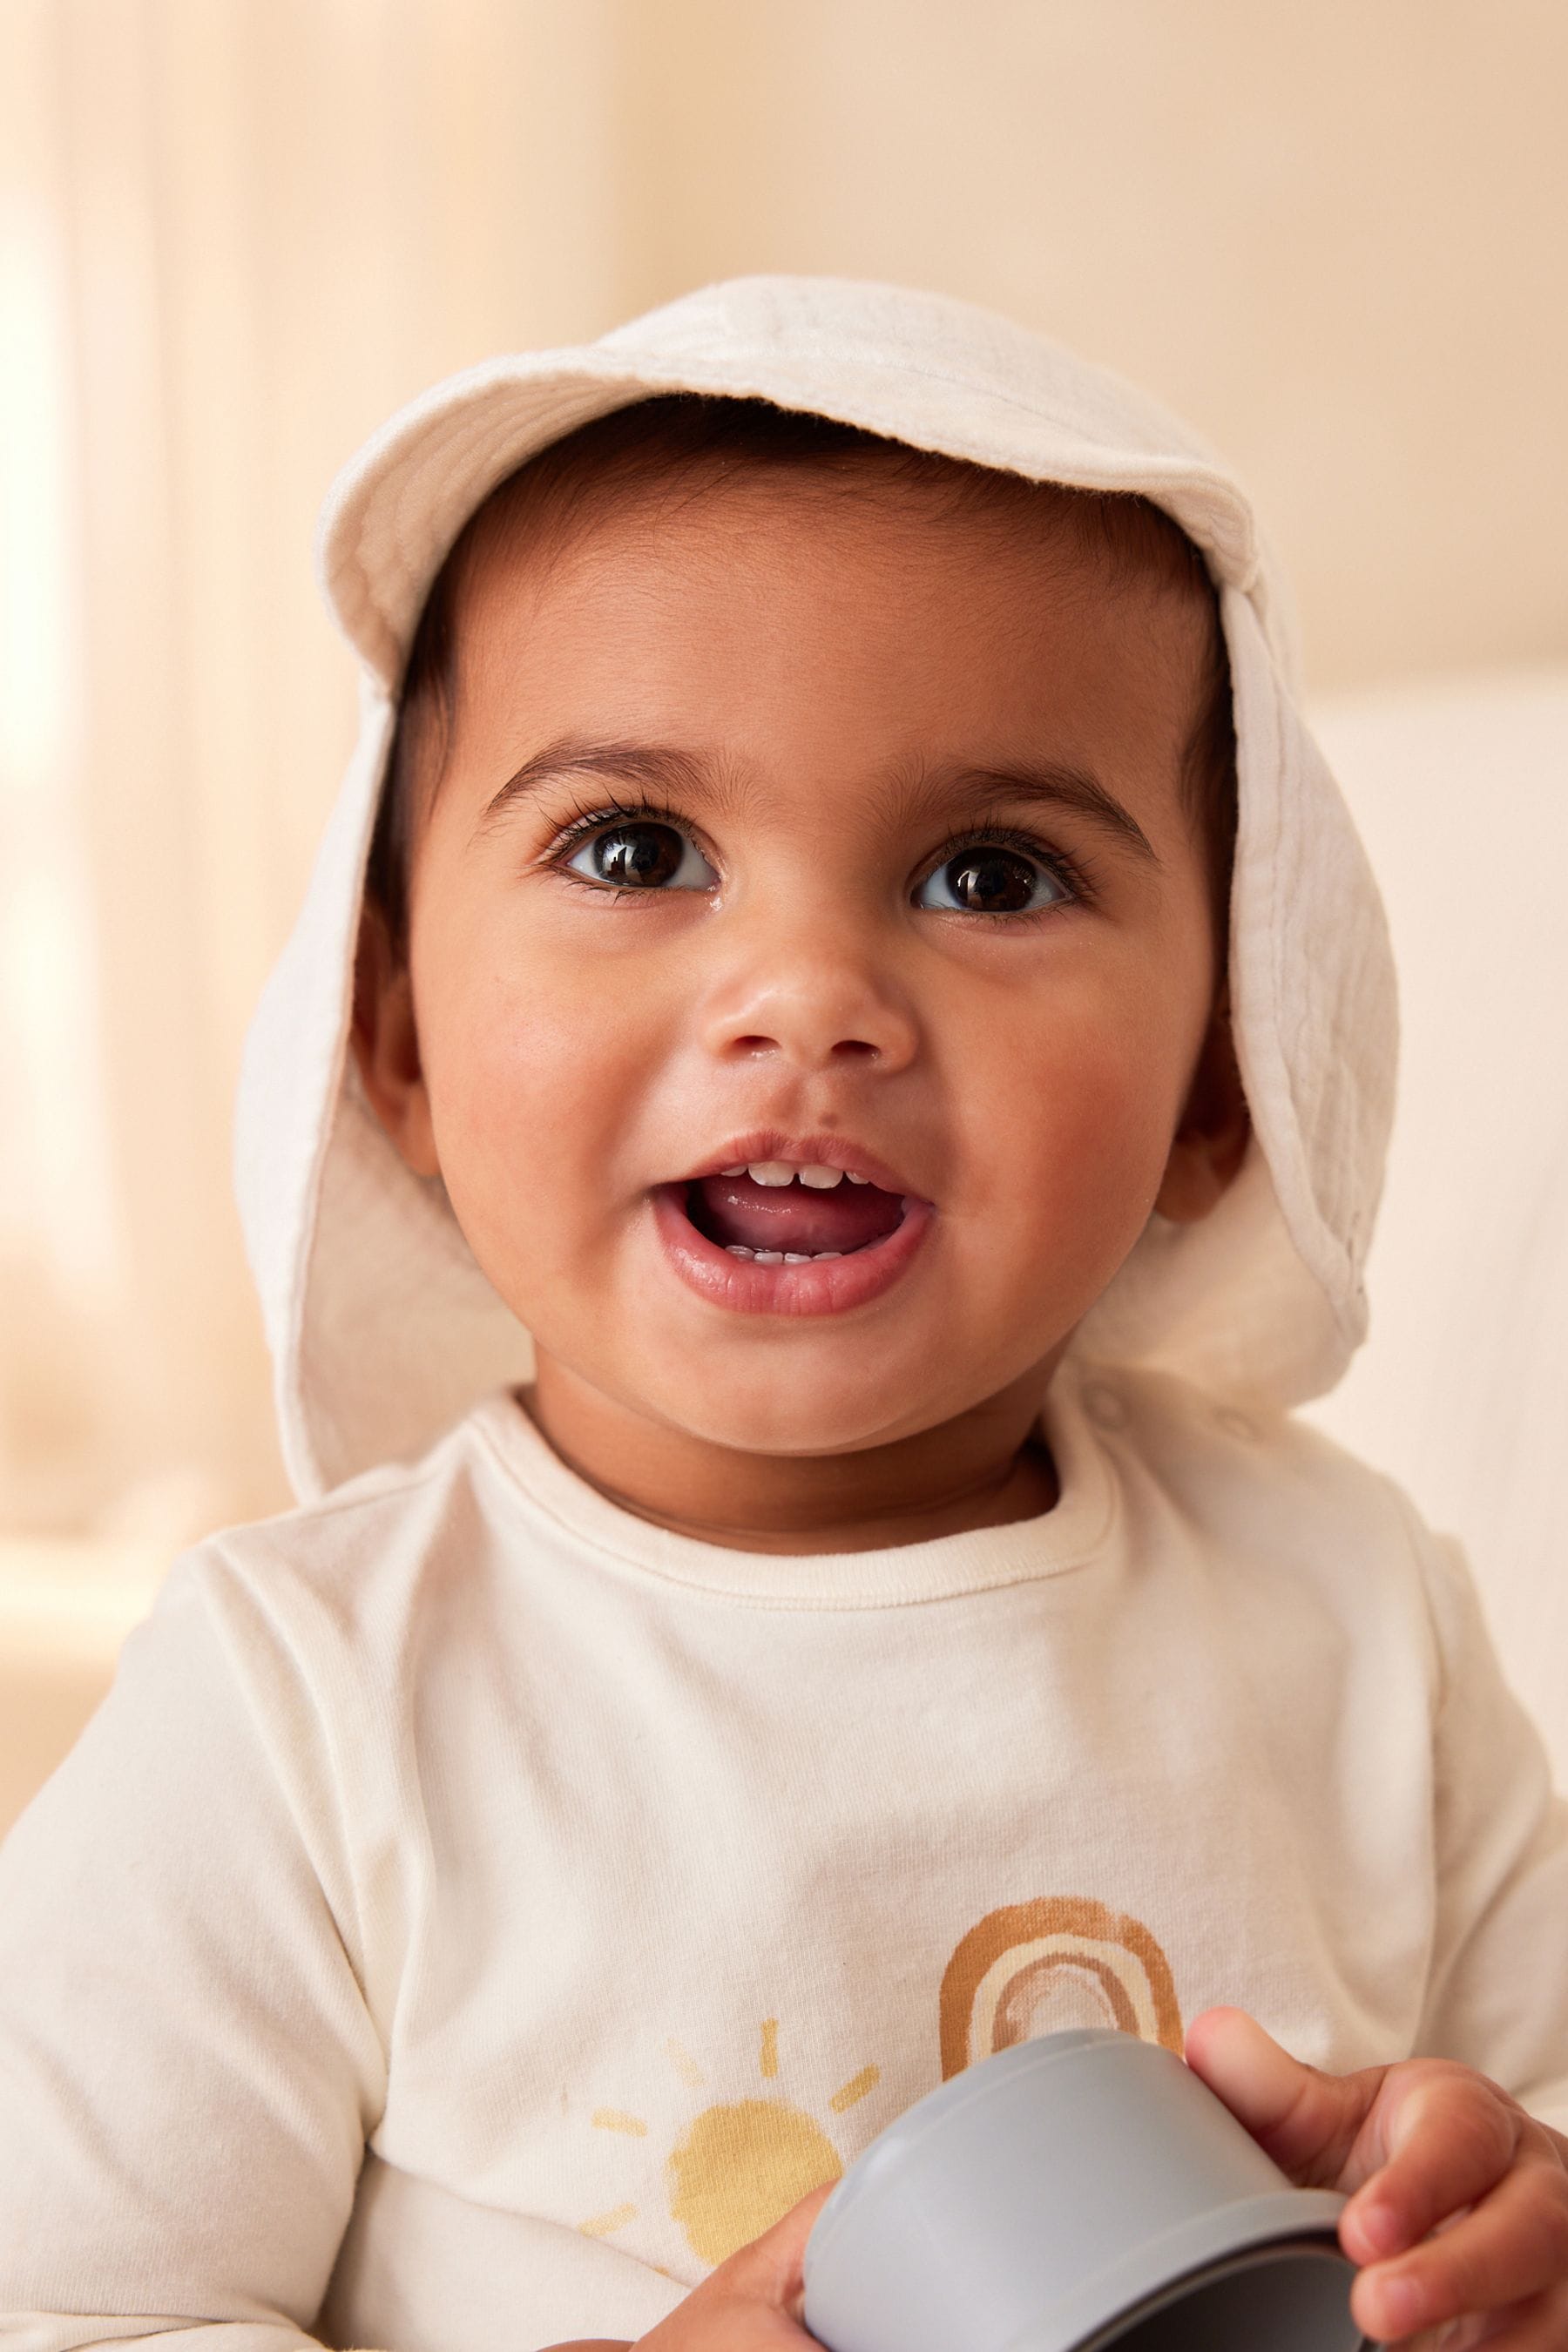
[739, 2165]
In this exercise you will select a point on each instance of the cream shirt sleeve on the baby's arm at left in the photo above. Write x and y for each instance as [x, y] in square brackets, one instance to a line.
[189, 2069]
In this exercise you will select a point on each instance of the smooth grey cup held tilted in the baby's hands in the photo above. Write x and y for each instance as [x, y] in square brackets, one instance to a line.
[1073, 2196]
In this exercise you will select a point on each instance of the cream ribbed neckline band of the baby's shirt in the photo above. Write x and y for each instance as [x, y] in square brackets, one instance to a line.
[1068, 1537]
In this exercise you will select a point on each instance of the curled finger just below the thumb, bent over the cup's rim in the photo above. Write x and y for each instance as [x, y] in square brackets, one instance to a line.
[1452, 2137]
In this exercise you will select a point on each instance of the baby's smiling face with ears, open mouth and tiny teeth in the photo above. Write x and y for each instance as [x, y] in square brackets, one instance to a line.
[808, 834]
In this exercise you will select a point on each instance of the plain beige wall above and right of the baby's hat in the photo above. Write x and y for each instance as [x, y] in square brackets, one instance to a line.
[1332, 236]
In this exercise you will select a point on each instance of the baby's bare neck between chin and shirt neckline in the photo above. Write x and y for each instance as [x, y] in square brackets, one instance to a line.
[984, 1469]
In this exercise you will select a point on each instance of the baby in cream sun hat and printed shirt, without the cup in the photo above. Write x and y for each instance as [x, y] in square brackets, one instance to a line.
[836, 933]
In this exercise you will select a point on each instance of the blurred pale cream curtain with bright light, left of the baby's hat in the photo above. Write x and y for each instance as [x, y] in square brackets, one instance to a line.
[232, 236]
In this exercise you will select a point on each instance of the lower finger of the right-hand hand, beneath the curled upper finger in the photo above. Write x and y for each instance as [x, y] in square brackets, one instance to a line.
[1510, 2250]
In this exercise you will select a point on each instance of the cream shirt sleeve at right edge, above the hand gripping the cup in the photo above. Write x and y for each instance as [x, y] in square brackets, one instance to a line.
[1499, 1982]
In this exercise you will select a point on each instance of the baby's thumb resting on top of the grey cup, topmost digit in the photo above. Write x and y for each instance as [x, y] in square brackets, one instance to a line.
[1308, 2123]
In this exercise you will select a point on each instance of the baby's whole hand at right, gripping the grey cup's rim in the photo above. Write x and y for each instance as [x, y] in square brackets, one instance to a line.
[1459, 2200]
